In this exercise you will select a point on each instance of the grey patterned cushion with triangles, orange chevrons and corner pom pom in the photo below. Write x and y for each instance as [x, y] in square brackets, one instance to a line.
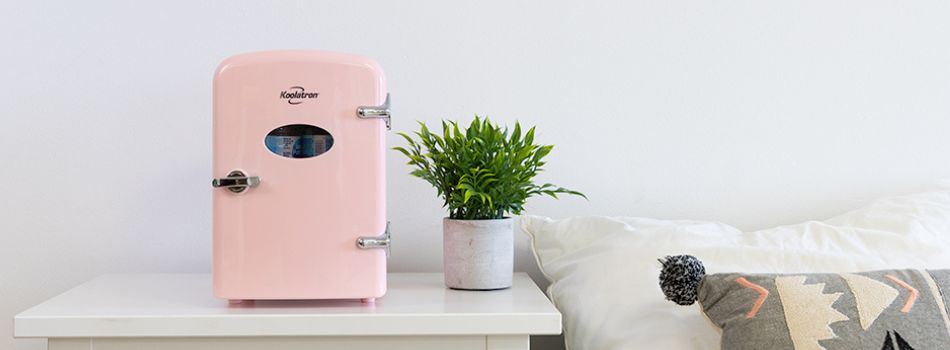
[893, 309]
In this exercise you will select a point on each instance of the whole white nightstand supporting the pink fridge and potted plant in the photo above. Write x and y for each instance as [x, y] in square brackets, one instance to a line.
[177, 311]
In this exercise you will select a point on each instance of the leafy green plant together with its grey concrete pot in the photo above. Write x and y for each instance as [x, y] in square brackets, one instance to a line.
[483, 173]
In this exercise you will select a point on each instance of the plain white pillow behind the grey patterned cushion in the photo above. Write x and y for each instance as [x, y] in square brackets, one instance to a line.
[604, 272]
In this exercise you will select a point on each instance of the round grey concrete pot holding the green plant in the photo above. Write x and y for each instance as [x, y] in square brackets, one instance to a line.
[478, 254]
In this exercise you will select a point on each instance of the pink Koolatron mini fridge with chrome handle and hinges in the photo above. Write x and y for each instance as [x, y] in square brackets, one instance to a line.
[299, 198]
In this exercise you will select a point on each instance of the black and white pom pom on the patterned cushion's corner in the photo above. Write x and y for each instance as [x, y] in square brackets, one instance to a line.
[680, 278]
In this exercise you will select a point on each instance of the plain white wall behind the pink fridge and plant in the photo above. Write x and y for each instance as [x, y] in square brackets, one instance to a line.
[755, 113]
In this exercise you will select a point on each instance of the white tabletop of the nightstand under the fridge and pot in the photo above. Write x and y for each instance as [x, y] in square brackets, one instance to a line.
[181, 305]
